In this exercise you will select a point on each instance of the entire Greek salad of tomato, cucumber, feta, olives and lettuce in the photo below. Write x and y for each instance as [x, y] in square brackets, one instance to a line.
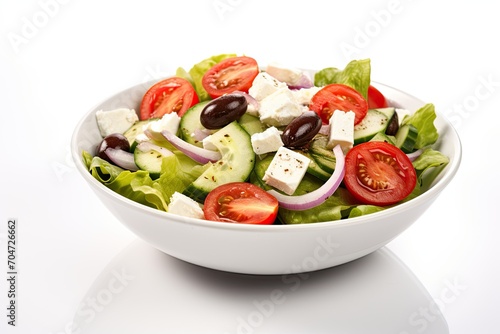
[230, 141]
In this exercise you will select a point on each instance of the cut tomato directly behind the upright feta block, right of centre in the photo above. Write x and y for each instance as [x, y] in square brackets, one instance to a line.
[338, 97]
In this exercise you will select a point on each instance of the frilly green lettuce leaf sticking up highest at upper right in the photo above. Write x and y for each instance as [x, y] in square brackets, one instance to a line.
[356, 74]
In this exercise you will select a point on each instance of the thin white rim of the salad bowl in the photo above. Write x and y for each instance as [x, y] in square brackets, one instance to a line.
[449, 172]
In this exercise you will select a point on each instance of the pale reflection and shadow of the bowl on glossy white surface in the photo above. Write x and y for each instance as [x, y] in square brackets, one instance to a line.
[144, 290]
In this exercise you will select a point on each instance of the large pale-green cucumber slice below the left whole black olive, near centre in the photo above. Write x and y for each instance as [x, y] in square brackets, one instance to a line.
[236, 164]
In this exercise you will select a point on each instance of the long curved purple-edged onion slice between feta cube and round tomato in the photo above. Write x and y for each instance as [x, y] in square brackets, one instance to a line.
[315, 198]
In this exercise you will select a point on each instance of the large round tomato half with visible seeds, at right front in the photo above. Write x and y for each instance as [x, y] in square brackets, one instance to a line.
[379, 173]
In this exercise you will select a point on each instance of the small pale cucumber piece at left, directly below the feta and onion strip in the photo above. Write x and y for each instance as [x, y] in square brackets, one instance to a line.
[149, 157]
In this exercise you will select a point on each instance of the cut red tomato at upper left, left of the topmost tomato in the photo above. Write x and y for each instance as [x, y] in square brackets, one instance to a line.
[169, 95]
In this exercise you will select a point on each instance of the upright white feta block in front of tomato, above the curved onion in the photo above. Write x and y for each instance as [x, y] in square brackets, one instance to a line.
[341, 130]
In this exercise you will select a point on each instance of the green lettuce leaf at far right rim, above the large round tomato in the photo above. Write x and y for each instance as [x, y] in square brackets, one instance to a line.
[423, 120]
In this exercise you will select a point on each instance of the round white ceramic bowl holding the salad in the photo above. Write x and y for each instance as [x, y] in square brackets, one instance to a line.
[270, 249]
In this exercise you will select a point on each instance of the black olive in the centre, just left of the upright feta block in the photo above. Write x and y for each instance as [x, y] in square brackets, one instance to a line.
[301, 130]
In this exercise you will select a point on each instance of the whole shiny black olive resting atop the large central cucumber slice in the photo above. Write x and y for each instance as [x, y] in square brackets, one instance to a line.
[223, 110]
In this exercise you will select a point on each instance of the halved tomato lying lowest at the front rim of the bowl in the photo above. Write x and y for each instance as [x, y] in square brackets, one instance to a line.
[240, 202]
